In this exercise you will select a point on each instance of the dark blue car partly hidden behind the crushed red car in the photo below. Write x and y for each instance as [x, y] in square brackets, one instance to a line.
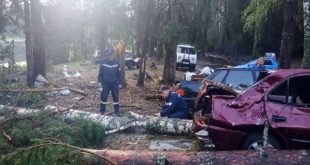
[238, 79]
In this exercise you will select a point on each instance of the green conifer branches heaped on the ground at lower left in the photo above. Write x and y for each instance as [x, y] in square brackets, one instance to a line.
[37, 134]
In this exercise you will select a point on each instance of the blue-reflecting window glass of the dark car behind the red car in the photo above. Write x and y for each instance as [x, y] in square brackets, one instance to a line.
[237, 78]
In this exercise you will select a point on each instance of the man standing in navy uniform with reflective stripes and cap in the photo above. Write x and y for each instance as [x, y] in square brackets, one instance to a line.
[110, 79]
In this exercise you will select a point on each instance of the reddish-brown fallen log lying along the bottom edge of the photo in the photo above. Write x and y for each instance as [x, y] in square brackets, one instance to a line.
[209, 157]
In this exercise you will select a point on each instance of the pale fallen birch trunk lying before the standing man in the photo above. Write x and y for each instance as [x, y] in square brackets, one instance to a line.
[113, 124]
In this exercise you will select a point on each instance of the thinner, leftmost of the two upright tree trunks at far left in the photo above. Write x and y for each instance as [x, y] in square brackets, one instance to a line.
[28, 42]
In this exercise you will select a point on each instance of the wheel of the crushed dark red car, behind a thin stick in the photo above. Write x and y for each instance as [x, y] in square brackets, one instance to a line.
[255, 140]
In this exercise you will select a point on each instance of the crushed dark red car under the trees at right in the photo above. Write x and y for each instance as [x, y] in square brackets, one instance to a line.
[236, 121]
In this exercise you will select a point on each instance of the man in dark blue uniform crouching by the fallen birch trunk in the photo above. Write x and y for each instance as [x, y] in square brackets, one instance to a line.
[175, 106]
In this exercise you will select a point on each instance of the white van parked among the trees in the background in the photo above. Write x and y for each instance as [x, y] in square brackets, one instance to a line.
[186, 57]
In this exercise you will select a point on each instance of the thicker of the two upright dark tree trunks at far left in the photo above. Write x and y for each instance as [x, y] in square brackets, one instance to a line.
[39, 52]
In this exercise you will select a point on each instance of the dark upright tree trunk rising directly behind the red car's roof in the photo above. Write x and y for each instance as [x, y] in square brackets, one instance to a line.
[290, 15]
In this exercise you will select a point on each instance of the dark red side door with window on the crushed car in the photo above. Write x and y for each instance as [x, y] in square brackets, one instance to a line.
[288, 110]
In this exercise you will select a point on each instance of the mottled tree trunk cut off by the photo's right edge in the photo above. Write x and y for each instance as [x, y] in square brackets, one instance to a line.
[306, 58]
